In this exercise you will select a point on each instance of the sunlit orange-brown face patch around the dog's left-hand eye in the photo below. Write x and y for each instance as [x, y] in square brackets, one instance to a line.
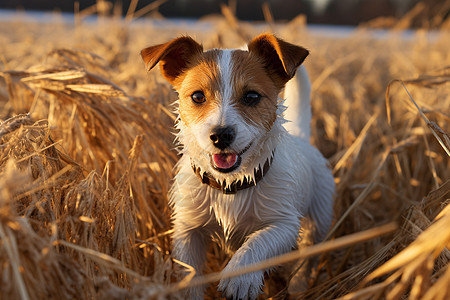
[202, 75]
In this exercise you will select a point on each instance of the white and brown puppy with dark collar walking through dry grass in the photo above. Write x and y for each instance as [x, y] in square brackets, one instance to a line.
[242, 180]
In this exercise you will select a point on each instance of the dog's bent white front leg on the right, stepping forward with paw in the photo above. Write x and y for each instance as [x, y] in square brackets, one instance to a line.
[270, 241]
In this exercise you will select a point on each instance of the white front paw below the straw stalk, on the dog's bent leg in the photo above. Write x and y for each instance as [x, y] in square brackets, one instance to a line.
[247, 286]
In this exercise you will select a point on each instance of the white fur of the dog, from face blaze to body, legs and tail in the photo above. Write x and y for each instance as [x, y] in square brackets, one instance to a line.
[259, 222]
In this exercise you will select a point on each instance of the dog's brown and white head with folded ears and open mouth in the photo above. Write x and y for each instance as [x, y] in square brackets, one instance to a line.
[228, 99]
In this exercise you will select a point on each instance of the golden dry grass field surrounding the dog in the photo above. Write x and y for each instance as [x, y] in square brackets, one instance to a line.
[86, 158]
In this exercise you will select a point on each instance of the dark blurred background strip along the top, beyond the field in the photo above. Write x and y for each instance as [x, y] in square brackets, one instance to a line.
[422, 14]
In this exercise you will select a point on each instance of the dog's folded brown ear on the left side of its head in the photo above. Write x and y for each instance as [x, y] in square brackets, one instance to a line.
[173, 56]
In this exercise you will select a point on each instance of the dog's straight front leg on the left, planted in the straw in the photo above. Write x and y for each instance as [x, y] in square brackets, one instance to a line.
[190, 248]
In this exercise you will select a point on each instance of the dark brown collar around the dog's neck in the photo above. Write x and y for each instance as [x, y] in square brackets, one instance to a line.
[236, 185]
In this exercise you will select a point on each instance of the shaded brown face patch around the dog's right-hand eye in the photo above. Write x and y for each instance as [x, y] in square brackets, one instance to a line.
[249, 75]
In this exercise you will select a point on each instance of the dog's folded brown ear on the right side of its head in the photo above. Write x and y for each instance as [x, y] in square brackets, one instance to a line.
[279, 57]
